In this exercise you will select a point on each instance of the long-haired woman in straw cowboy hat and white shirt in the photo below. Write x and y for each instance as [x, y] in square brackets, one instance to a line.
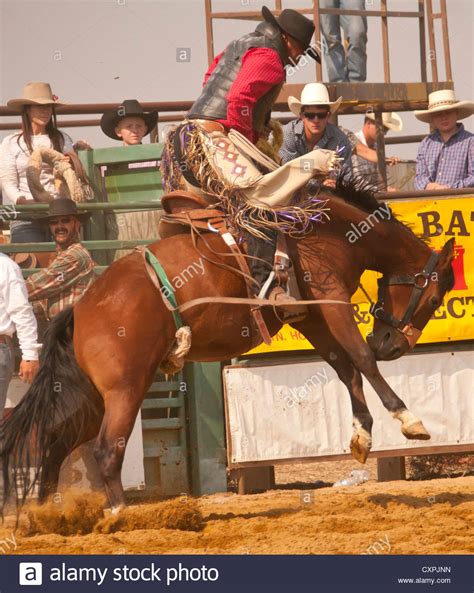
[37, 106]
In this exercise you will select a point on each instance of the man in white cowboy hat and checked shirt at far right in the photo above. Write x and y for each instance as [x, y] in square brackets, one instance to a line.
[445, 157]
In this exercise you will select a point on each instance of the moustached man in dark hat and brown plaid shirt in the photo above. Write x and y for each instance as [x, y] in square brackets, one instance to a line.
[71, 273]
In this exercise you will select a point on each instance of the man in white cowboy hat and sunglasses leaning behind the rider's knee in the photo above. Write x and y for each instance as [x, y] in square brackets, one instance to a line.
[312, 130]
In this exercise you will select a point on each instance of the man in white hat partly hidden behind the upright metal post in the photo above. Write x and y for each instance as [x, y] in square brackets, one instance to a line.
[364, 145]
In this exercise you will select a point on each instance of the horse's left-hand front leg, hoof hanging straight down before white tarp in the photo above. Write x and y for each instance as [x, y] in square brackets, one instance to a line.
[335, 355]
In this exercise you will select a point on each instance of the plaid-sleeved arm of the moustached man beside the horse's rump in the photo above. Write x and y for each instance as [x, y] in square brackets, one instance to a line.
[61, 274]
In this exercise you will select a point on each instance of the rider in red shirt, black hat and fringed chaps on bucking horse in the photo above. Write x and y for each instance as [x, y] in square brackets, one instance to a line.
[213, 153]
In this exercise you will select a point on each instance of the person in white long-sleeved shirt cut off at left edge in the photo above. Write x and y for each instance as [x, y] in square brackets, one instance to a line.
[16, 314]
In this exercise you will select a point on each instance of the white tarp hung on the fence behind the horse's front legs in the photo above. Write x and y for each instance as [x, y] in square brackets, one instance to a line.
[303, 410]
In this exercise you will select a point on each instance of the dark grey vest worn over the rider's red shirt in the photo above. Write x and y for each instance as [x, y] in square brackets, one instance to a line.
[212, 103]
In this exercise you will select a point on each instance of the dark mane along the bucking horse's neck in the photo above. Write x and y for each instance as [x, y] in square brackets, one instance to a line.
[361, 194]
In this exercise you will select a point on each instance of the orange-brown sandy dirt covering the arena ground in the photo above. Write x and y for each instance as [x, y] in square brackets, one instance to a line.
[430, 517]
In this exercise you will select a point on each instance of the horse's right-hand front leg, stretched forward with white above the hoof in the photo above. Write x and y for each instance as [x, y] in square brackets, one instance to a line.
[344, 330]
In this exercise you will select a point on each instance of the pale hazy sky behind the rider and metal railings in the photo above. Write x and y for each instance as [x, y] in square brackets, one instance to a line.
[110, 50]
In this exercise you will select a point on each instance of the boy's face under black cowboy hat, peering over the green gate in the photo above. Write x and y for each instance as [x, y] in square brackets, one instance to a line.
[128, 122]
